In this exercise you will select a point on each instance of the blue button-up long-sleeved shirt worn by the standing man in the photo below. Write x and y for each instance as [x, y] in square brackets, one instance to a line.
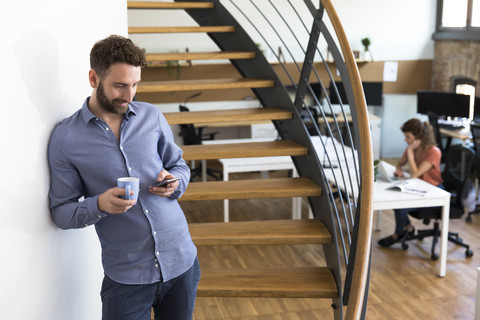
[148, 243]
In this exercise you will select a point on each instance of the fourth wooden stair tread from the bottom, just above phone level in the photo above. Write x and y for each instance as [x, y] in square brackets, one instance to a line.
[243, 150]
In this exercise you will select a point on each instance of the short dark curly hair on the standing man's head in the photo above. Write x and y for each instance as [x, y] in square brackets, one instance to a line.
[115, 49]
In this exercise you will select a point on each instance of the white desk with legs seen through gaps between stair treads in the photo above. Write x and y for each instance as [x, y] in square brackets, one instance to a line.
[262, 164]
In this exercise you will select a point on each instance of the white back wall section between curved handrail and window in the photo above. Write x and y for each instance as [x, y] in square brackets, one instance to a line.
[398, 30]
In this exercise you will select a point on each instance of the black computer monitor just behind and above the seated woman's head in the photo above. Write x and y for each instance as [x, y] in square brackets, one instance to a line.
[445, 104]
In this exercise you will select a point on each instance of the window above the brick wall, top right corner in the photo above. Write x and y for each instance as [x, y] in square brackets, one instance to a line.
[458, 19]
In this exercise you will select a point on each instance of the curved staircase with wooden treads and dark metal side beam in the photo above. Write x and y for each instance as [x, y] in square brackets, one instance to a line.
[305, 282]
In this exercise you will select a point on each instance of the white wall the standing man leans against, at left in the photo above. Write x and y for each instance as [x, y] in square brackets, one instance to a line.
[45, 273]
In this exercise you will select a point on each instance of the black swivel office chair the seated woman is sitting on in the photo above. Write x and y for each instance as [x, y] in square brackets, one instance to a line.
[456, 181]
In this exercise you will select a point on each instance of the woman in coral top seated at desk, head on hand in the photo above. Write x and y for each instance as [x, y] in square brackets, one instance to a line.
[423, 157]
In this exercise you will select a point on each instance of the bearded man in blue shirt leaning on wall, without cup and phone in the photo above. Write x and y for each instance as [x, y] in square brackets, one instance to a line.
[148, 256]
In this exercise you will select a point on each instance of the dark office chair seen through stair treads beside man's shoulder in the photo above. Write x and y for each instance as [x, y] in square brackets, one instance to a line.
[192, 136]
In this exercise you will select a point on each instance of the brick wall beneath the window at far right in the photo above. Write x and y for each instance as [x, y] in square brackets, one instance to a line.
[455, 59]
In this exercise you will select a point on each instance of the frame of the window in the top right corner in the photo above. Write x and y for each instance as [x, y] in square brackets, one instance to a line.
[456, 33]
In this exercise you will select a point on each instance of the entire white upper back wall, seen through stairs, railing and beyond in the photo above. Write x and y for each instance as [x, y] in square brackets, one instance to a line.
[398, 30]
